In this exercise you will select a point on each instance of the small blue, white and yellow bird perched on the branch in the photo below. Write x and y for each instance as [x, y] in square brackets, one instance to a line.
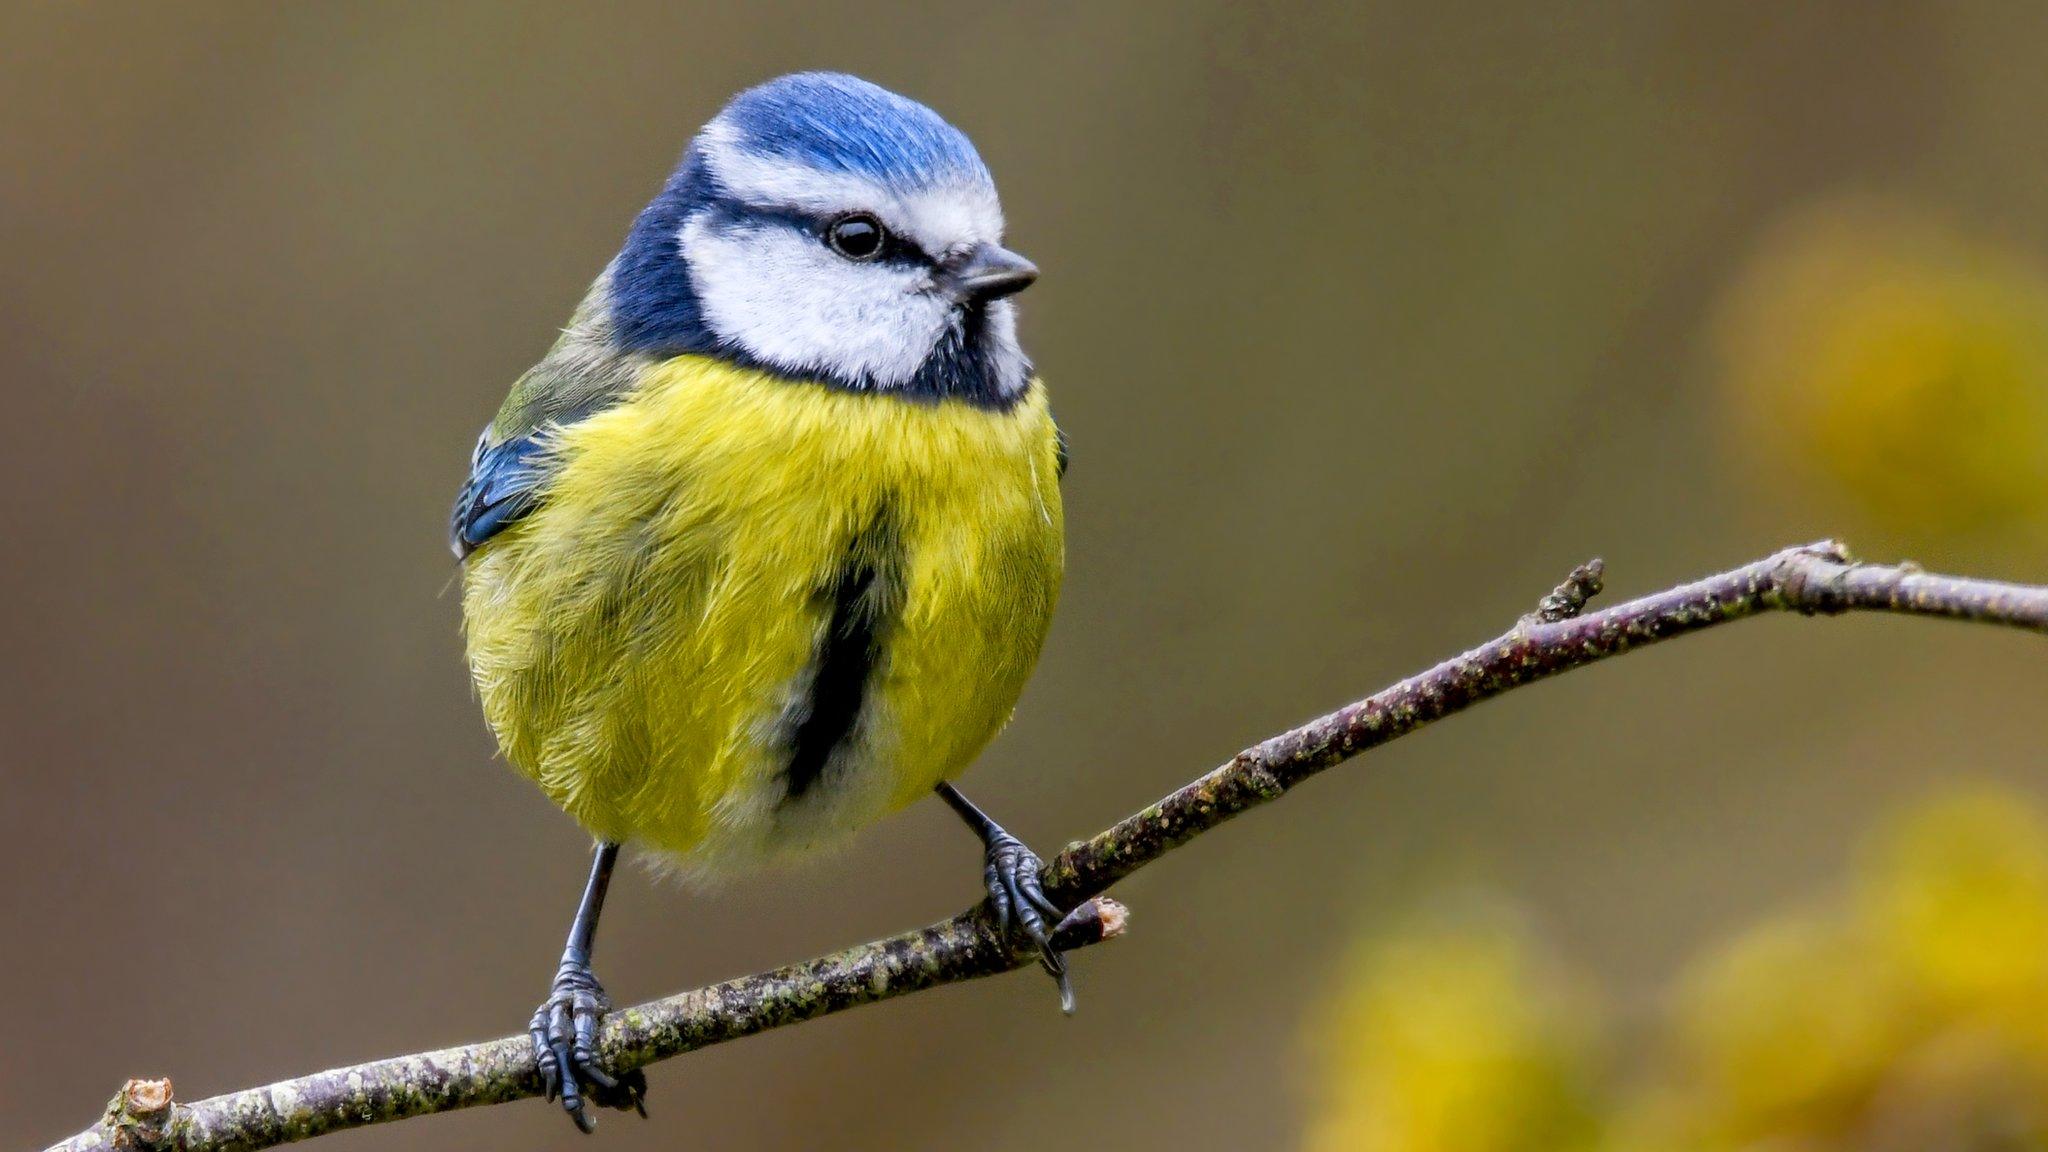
[769, 542]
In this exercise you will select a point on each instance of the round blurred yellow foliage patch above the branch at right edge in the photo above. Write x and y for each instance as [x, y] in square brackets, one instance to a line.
[1879, 360]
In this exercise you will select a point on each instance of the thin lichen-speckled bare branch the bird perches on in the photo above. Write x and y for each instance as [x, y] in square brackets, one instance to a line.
[1555, 639]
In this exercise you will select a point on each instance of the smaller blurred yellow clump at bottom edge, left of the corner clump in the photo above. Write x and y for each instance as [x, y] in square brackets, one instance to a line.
[1453, 1038]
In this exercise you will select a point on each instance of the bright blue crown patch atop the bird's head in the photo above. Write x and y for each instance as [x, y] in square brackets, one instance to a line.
[841, 124]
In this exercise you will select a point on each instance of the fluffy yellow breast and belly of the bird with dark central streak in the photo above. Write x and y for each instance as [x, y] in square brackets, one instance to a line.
[648, 641]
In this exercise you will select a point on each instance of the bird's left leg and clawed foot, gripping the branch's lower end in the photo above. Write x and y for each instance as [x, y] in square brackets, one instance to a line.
[566, 1028]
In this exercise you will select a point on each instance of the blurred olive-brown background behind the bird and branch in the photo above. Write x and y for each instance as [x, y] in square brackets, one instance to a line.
[1367, 323]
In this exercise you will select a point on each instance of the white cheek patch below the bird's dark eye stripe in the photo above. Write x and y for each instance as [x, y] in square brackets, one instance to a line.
[796, 304]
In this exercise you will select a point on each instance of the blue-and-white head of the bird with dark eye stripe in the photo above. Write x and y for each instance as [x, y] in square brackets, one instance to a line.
[830, 231]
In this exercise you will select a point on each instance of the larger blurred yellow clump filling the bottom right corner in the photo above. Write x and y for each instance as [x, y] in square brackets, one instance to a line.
[1916, 1007]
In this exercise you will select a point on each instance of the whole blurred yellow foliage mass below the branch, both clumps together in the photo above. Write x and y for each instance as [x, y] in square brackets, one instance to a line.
[1912, 1014]
